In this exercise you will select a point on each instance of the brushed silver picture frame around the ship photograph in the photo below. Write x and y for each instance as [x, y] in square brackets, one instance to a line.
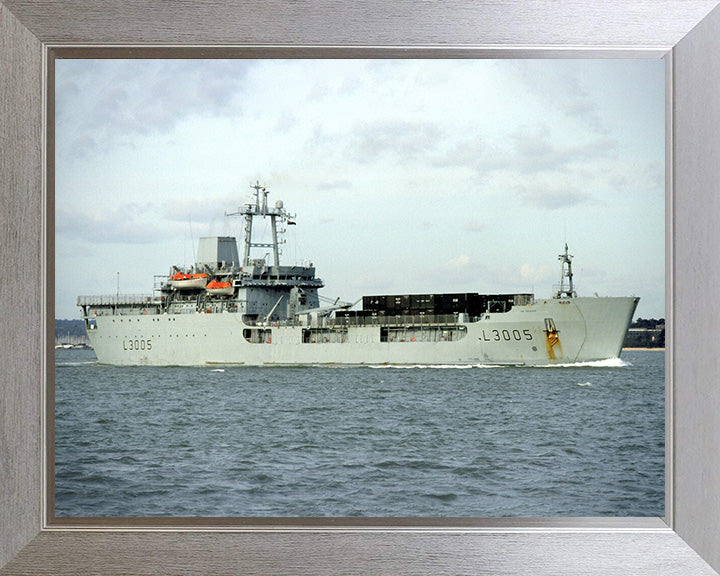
[684, 32]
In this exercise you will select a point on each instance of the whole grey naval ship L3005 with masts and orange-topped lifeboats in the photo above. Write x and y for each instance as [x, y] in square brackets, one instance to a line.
[224, 310]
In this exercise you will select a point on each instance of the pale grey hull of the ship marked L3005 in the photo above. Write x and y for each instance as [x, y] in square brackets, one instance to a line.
[580, 330]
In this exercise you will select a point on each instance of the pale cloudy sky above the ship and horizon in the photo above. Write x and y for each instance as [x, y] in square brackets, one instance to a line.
[407, 176]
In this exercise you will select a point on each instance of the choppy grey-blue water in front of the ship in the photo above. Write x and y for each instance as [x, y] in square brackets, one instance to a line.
[360, 441]
